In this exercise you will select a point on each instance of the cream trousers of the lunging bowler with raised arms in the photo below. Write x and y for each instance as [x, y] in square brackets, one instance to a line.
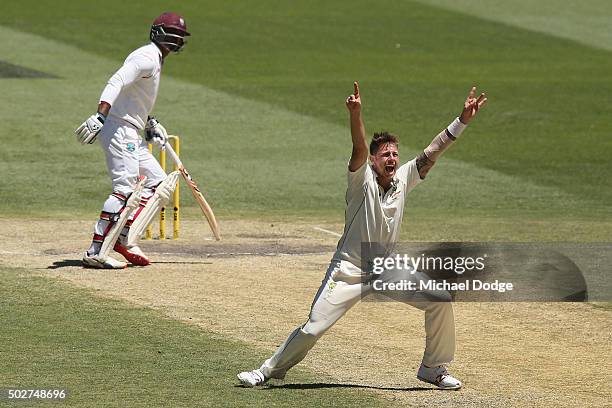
[341, 290]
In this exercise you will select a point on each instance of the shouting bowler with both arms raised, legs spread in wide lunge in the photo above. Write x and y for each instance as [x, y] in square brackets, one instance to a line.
[377, 189]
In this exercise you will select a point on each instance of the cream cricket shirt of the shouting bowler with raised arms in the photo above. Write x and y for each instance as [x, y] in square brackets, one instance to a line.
[371, 214]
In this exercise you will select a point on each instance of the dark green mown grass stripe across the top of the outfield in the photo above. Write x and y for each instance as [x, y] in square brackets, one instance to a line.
[546, 122]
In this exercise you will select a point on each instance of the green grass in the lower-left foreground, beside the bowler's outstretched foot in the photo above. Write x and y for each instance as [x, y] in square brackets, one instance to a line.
[110, 353]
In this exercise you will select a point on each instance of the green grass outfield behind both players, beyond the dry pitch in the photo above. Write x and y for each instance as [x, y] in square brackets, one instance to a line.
[258, 98]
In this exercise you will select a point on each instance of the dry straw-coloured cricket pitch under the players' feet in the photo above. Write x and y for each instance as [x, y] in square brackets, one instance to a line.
[257, 284]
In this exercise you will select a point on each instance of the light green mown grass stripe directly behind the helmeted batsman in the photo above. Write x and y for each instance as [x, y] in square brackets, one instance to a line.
[251, 157]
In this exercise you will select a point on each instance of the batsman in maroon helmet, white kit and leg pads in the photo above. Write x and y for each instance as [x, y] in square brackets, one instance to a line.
[123, 111]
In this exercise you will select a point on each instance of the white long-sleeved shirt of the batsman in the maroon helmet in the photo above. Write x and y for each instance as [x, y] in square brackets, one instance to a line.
[132, 90]
